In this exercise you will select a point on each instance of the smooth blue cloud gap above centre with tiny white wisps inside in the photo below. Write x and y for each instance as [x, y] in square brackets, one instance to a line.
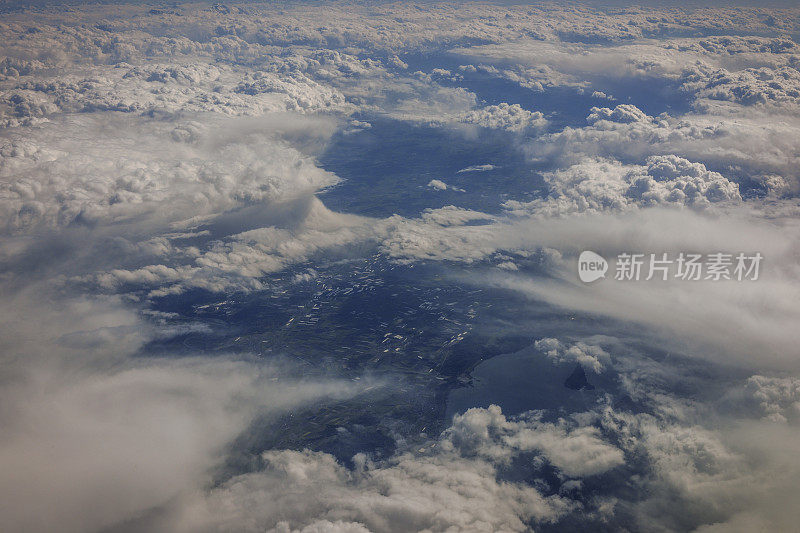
[386, 169]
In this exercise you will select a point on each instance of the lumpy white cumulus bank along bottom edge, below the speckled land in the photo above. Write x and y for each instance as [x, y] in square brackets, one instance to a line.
[451, 483]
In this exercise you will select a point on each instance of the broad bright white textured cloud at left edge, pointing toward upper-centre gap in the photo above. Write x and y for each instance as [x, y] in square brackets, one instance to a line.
[53, 179]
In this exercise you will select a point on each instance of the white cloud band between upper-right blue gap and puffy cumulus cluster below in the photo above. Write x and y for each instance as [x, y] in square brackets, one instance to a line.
[750, 146]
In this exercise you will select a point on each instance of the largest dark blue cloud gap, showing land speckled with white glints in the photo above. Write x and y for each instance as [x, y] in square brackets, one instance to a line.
[418, 327]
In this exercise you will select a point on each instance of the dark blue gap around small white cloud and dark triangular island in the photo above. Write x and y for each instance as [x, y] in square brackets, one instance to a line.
[526, 379]
